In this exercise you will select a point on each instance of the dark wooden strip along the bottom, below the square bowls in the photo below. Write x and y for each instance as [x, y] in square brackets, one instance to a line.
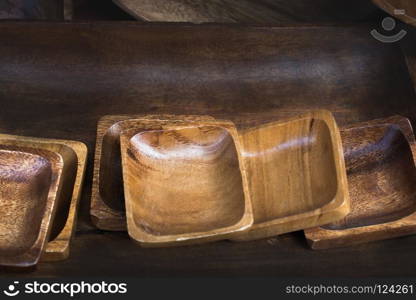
[114, 254]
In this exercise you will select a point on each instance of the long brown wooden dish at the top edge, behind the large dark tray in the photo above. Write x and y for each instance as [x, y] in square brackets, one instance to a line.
[248, 11]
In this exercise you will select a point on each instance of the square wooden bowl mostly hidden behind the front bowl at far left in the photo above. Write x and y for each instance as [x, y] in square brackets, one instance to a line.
[60, 227]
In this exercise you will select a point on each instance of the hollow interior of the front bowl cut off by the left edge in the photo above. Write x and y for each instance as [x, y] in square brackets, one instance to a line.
[25, 181]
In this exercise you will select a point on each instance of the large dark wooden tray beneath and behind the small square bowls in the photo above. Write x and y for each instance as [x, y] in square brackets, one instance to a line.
[77, 73]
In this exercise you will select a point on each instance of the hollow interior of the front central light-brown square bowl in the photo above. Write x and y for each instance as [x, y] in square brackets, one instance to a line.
[184, 181]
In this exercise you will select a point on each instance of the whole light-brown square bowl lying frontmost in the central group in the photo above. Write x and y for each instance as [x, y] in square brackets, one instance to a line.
[184, 183]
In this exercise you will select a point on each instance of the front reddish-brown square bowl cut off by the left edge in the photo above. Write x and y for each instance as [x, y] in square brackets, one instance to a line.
[31, 181]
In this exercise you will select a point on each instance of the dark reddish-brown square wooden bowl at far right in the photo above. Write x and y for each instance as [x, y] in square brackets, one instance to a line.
[380, 159]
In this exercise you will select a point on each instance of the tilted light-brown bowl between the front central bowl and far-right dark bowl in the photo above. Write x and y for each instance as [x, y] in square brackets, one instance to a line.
[296, 174]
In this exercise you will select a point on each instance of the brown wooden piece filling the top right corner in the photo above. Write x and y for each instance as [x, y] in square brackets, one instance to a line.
[392, 6]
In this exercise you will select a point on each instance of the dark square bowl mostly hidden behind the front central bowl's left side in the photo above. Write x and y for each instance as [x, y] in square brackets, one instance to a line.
[107, 200]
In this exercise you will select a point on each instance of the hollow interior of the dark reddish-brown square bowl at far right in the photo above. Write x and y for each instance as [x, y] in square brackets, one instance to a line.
[381, 176]
